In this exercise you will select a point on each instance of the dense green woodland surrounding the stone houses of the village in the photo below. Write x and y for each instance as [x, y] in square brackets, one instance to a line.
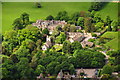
[22, 57]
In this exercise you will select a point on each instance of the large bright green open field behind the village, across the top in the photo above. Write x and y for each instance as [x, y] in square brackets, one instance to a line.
[12, 10]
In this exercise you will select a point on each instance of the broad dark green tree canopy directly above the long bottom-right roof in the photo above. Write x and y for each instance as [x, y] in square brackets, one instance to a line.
[88, 59]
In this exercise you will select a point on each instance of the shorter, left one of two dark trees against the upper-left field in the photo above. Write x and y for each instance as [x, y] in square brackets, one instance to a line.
[17, 24]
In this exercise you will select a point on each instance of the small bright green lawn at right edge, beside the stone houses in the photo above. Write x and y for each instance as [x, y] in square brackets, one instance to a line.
[114, 42]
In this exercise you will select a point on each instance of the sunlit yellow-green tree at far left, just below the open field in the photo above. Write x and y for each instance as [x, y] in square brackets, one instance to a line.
[10, 41]
